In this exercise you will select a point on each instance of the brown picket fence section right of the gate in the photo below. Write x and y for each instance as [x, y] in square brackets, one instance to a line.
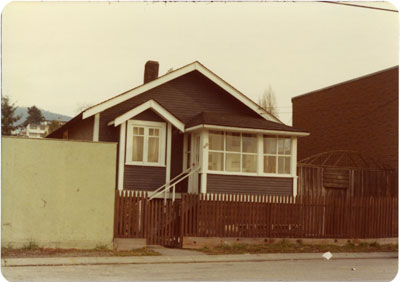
[283, 216]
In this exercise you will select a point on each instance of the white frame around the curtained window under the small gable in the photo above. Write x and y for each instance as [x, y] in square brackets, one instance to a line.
[162, 144]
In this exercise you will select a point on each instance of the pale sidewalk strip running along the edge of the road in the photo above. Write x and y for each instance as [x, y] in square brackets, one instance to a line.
[198, 258]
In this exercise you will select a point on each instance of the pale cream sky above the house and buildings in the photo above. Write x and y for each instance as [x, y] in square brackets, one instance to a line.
[62, 55]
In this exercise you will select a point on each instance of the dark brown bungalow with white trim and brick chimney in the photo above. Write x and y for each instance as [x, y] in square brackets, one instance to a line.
[191, 129]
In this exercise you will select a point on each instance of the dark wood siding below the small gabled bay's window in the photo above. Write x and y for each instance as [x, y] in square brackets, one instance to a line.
[146, 178]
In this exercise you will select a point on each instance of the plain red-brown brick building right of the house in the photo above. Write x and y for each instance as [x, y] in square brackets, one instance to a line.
[360, 114]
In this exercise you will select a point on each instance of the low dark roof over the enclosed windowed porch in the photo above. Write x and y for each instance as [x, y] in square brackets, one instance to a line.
[239, 121]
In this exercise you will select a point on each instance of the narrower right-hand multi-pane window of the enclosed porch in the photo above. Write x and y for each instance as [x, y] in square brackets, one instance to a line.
[277, 154]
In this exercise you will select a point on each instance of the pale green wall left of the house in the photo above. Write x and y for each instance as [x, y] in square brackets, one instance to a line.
[57, 194]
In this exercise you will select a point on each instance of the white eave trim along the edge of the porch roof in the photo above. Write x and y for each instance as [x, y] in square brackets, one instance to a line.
[249, 130]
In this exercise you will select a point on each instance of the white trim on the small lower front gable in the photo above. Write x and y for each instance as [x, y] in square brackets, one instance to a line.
[150, 104]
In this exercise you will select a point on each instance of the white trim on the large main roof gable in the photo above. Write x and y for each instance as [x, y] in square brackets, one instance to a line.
[175, 74]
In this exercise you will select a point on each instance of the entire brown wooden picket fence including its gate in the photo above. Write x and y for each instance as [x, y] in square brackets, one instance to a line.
[227, 215]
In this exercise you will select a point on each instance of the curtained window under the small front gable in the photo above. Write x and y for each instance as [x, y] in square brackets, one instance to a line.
[144, 144]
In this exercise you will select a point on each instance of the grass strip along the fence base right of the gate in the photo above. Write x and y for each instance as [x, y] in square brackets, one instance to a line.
[286, 247]
